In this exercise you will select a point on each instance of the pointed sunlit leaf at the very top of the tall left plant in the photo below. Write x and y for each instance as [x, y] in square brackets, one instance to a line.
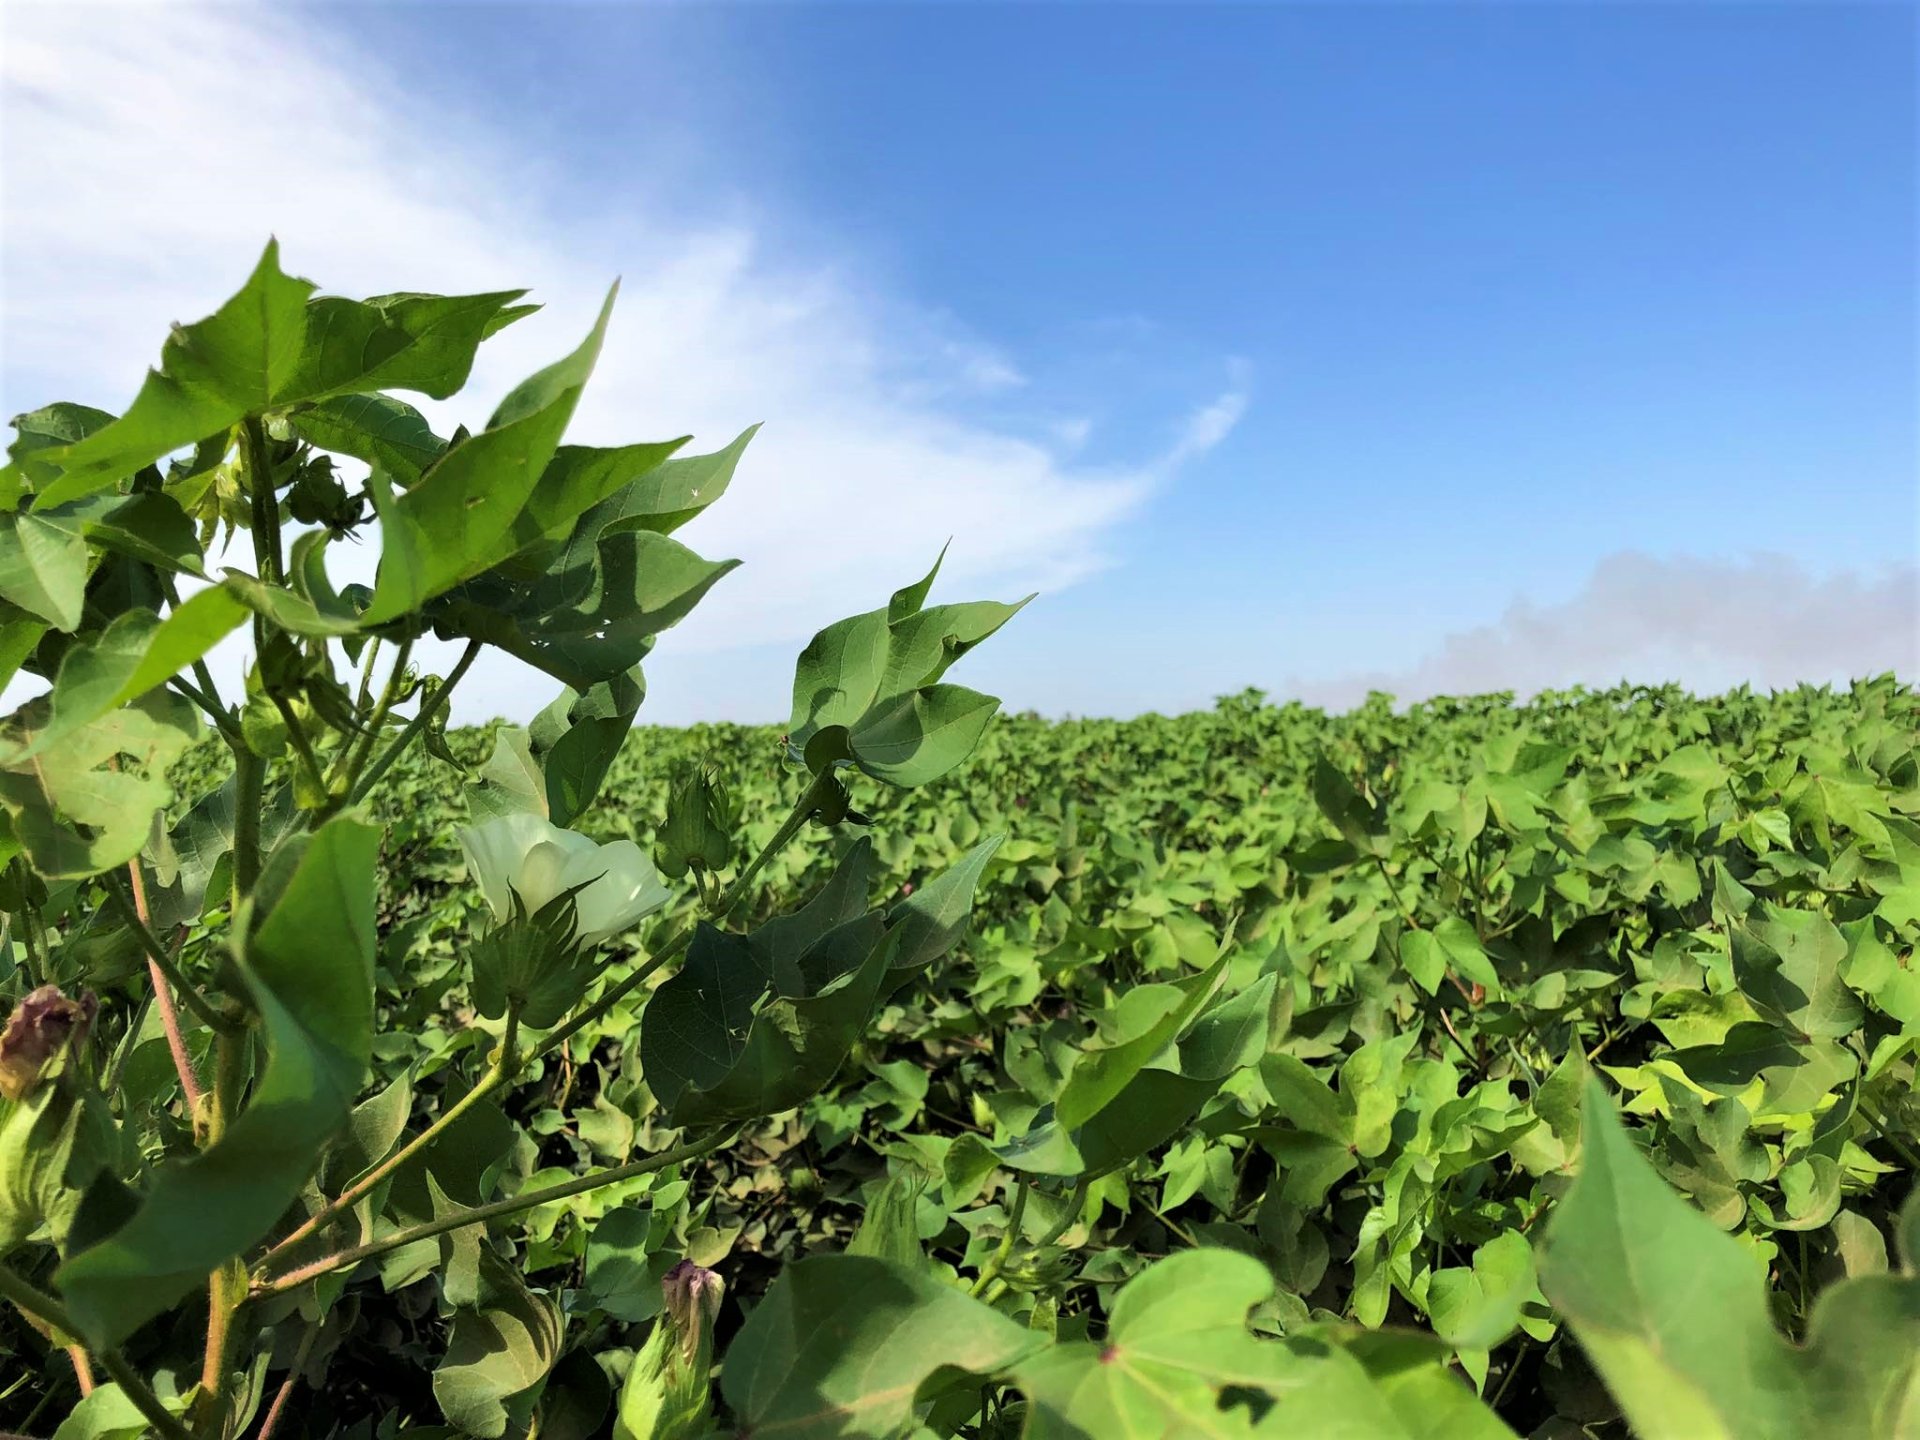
[212, 375]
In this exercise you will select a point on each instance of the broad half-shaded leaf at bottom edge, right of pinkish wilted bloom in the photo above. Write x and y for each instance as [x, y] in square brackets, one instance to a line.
[844, 1345]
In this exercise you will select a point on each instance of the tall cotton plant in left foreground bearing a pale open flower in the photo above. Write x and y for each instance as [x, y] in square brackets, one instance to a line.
[249, 1191]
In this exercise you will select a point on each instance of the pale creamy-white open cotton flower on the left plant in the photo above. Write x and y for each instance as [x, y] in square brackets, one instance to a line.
[525, 855]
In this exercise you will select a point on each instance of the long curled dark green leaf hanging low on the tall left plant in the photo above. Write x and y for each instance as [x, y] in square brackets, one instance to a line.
[308, 972]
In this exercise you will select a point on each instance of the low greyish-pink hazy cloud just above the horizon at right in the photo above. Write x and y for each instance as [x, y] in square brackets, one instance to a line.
[1704, 623]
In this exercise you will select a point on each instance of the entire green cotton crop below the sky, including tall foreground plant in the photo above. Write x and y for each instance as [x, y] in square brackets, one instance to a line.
[1472, 1068]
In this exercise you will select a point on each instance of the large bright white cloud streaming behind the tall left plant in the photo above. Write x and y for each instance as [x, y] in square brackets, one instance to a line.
[149, 155]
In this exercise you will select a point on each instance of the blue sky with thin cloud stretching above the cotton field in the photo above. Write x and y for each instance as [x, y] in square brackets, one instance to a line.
[1429, 347]
